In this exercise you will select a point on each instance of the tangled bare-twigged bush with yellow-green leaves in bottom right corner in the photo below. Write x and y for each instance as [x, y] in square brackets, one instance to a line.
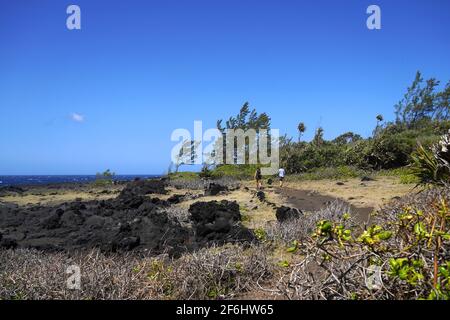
[404, 255]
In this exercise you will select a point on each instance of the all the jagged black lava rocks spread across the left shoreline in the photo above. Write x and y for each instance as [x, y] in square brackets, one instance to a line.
[136, 219]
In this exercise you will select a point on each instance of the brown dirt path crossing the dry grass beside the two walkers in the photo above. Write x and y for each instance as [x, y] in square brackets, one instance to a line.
[311, 201]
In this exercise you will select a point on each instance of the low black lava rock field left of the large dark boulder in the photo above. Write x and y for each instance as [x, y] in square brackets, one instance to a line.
[140, 223]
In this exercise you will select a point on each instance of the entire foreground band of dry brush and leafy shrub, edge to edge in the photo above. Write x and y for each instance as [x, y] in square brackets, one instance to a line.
[403, 254]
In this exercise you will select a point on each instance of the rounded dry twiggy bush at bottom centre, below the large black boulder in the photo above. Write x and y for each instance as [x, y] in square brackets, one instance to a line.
[217, 272]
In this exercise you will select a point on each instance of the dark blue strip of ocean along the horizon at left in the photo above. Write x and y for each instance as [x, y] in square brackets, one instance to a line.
[42, 179]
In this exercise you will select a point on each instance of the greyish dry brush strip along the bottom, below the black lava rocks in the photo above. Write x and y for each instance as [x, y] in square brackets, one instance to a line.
[217, 272]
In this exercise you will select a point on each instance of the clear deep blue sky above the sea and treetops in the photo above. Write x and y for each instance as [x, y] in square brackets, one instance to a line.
[137, 70]
